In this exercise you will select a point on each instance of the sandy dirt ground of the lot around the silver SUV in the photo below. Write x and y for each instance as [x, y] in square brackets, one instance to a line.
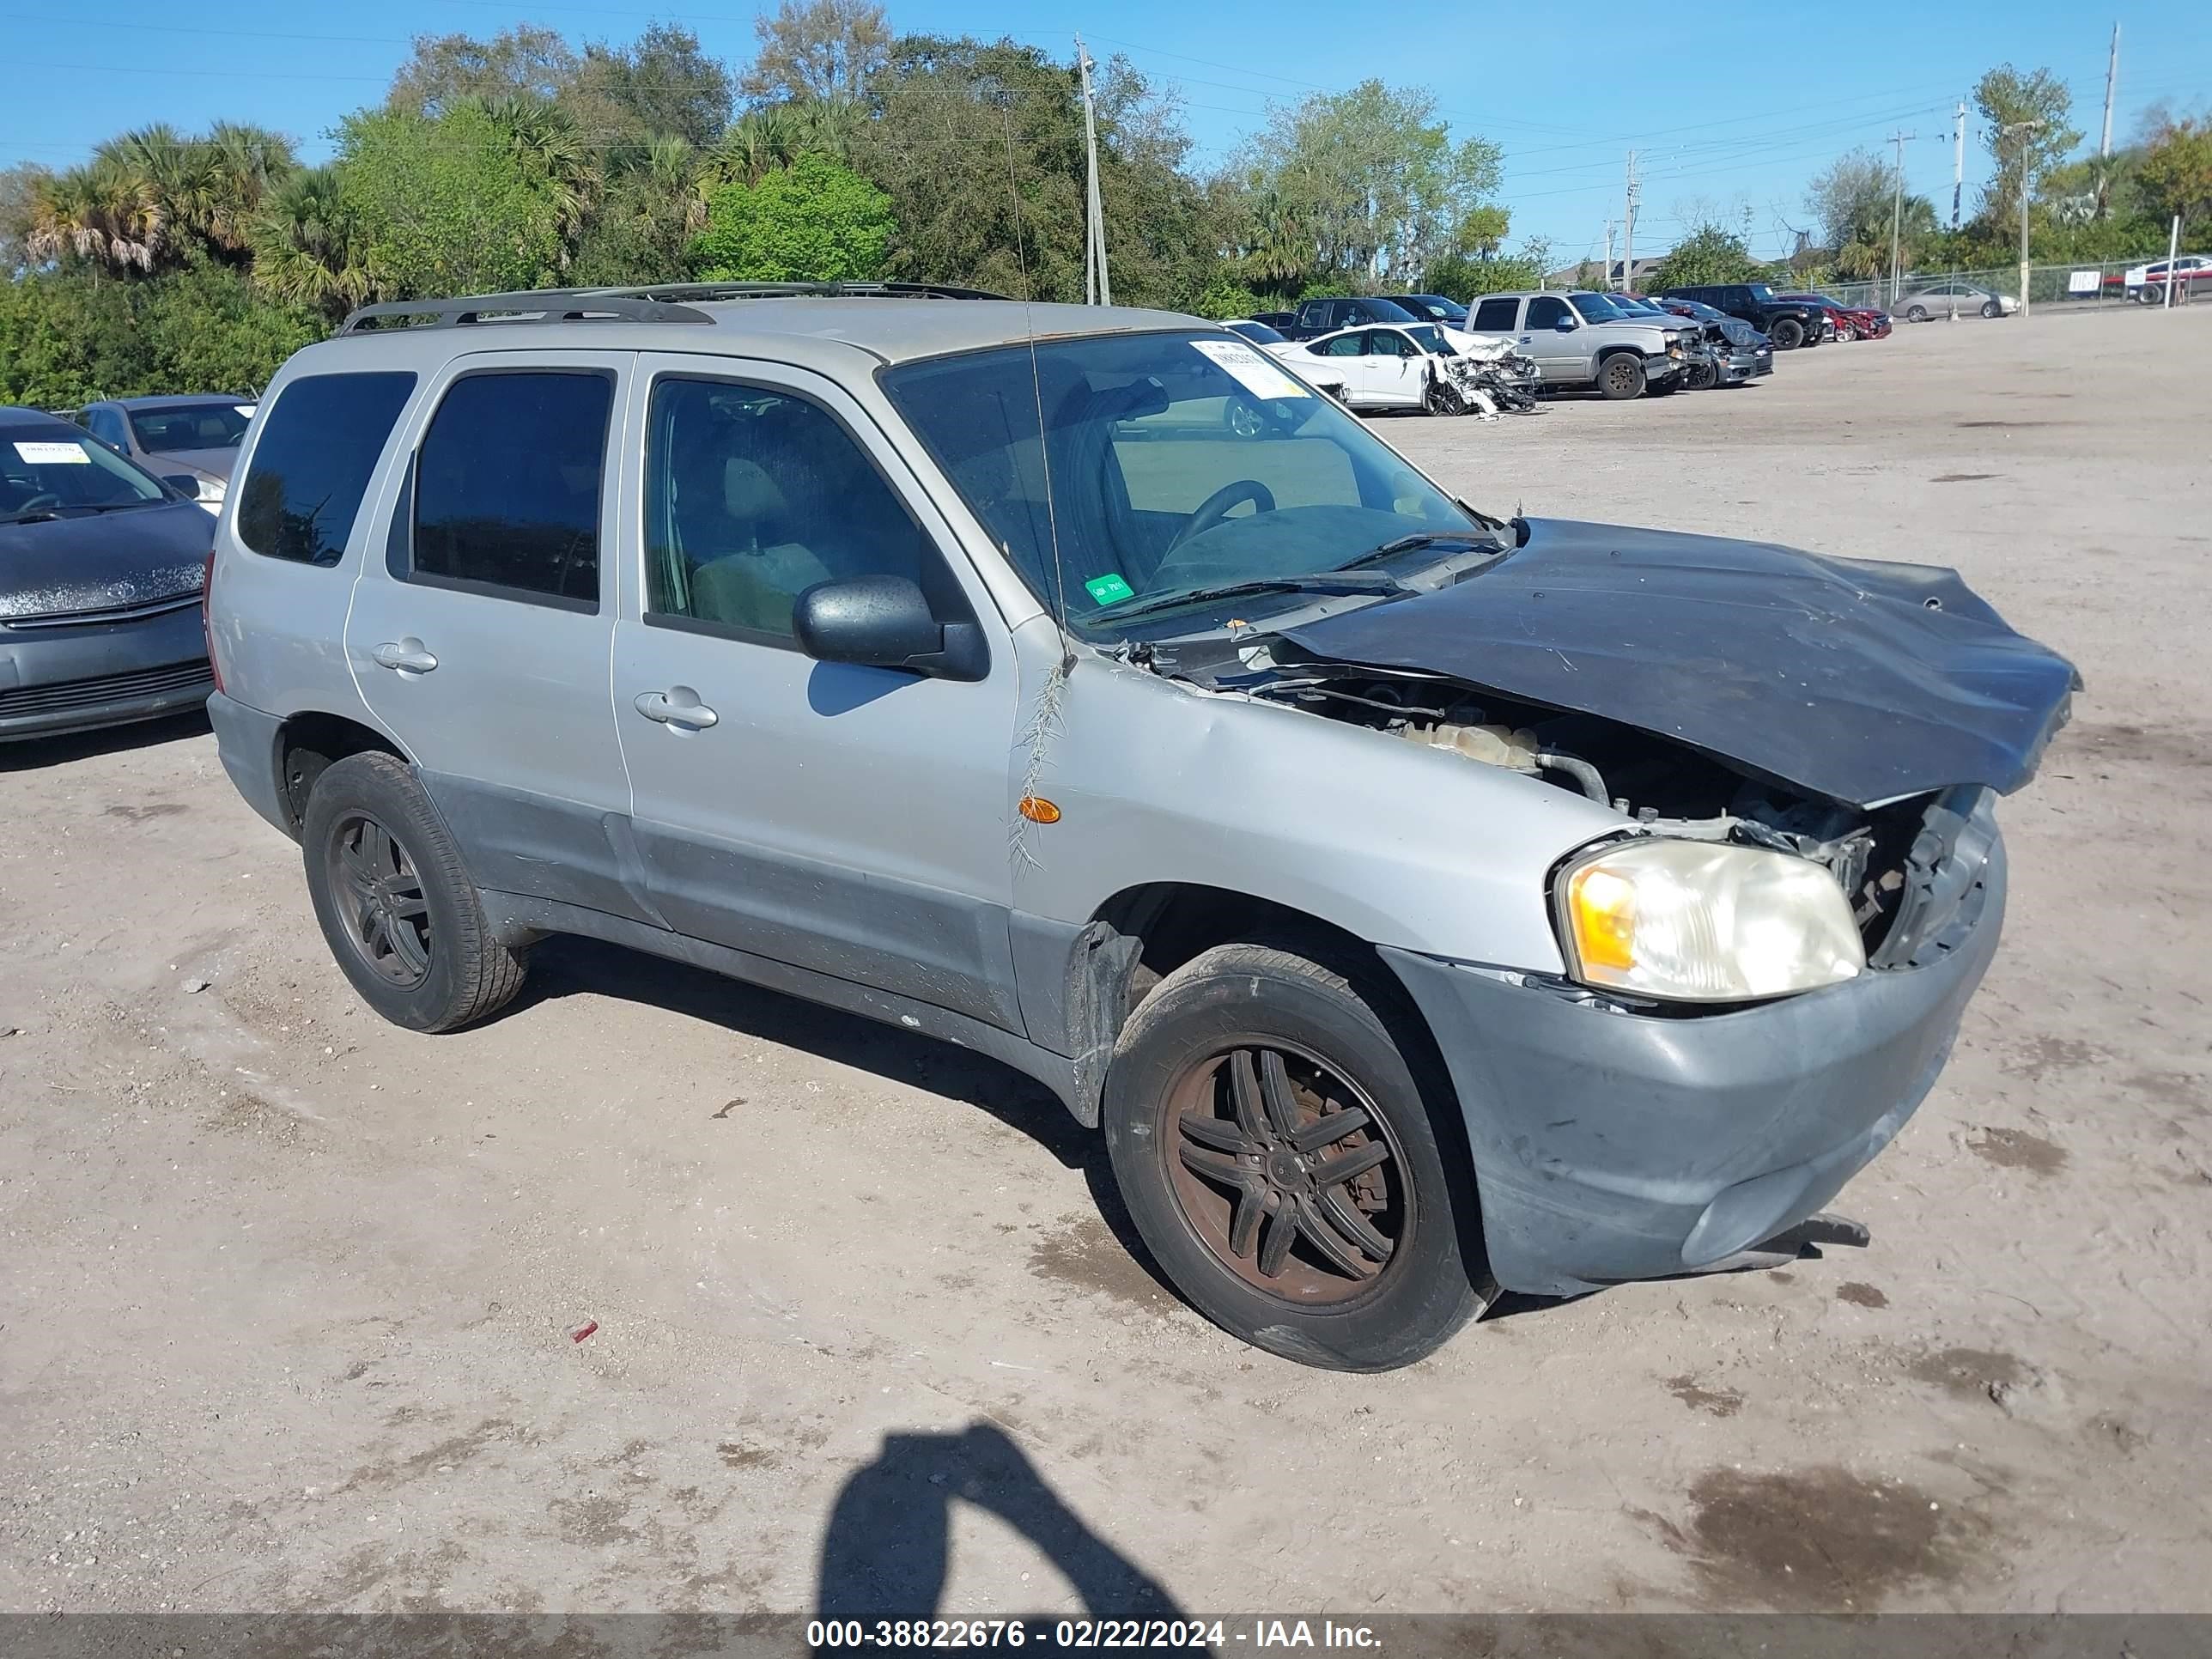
[286, 1293]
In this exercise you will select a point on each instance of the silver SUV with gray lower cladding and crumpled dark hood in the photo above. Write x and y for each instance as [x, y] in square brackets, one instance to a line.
[1417, 901]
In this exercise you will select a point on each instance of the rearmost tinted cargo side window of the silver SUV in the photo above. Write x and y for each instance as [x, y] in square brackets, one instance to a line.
[313, 463]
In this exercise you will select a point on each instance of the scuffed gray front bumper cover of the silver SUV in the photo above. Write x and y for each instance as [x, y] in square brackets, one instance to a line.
[1618, 1147]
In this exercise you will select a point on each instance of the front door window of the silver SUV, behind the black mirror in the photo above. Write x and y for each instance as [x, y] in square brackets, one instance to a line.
[753, 497]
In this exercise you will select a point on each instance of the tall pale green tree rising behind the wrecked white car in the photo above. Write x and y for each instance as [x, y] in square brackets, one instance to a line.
[1373, 180]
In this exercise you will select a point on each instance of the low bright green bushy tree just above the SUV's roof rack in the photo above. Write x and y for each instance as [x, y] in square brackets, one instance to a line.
[808, 222]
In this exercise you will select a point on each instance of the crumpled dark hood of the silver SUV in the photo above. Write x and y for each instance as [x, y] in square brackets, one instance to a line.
[1848, 678]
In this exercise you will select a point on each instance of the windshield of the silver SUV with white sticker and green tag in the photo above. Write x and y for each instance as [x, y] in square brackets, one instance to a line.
[1171, 463]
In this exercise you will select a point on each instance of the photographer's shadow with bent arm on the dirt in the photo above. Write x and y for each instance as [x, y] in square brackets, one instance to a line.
[888, 1547]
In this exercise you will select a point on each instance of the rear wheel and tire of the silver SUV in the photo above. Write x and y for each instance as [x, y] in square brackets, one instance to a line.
[397, 904]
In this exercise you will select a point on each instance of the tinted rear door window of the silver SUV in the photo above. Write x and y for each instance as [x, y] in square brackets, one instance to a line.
[508, 486]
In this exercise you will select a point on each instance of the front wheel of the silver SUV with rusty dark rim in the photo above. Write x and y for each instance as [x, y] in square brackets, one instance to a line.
[1284, 1165]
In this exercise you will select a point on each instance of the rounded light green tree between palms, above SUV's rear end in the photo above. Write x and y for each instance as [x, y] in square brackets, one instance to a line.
[446, 207]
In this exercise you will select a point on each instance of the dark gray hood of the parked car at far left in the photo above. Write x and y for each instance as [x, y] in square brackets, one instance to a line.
[103, 561]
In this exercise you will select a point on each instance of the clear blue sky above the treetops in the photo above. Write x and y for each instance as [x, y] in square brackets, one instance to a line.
[1738, 123]
